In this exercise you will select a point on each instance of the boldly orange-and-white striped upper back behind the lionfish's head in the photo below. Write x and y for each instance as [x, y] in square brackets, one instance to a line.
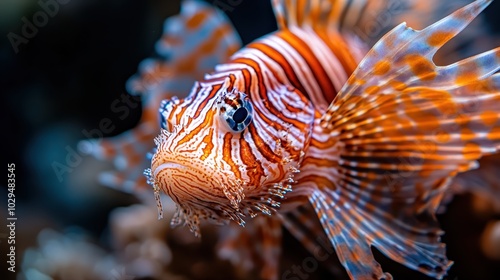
[316, 64]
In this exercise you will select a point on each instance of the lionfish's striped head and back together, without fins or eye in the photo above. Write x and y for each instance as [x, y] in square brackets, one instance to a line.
[250, 170]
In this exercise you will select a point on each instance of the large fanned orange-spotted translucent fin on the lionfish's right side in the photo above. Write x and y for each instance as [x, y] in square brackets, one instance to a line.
[405, 127]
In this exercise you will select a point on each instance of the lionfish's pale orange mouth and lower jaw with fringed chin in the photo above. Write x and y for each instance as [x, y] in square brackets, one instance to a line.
[201, 192]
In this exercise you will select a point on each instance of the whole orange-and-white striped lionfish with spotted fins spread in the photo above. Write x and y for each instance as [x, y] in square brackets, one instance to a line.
[310, 128]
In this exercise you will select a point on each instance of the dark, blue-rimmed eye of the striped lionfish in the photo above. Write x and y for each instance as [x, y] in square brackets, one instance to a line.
[237, 112]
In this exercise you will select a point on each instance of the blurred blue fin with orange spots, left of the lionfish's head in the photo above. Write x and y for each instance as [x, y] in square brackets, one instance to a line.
[192, 44]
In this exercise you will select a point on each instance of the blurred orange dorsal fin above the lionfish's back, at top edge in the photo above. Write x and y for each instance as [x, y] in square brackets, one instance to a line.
[367, 18]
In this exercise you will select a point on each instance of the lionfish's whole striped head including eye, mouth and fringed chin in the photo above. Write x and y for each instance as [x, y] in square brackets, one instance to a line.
[220, 156]
